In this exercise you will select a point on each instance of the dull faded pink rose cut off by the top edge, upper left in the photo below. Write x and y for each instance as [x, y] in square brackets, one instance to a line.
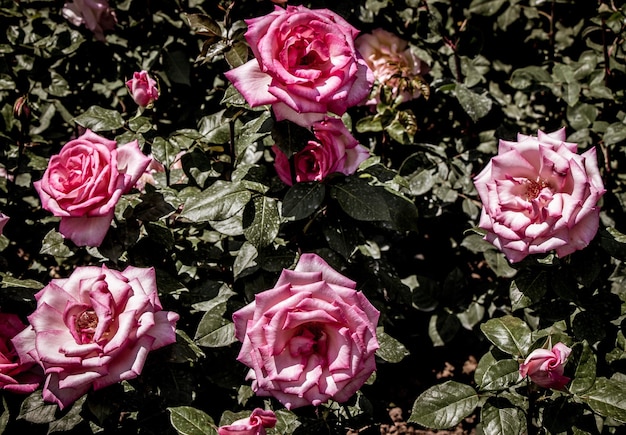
[96, 15]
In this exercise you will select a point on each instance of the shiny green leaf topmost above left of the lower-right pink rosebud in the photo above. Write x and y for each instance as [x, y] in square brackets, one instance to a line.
[509, 334]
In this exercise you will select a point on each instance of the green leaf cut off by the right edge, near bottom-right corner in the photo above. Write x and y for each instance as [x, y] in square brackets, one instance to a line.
[608, 398]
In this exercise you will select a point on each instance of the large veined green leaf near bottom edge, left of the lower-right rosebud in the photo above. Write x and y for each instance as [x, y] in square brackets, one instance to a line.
[445, 405]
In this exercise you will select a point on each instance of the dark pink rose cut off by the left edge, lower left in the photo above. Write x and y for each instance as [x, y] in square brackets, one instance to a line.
[15, 375]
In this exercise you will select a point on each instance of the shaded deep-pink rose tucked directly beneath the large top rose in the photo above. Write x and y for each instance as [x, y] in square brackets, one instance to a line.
[334, 151]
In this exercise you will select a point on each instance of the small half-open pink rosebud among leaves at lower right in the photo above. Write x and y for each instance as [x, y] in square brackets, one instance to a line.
[545, 367]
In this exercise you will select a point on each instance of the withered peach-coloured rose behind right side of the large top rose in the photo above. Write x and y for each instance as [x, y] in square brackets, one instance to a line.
[393, 64]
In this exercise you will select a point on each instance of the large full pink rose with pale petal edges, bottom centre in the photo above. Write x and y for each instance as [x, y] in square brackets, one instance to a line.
[310, 338]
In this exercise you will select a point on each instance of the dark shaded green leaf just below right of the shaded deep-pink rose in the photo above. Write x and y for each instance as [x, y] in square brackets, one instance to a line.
[360, 200]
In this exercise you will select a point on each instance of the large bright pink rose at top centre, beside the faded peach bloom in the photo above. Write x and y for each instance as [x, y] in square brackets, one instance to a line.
[306, 65]
